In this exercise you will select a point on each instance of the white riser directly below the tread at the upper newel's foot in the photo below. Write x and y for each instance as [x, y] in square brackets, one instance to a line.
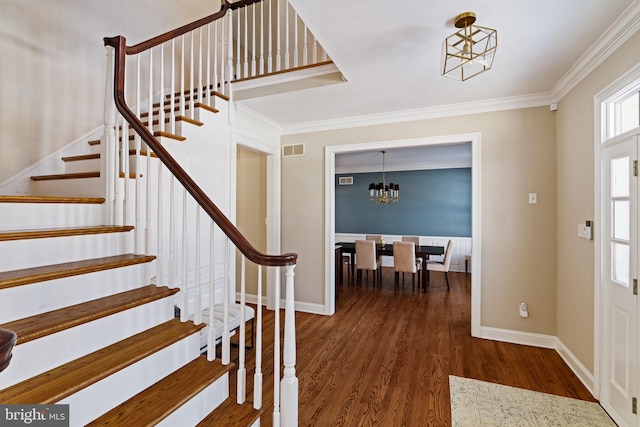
[23, 216]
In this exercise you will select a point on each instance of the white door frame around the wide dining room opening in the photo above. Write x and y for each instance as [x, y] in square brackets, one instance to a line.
[330, 172]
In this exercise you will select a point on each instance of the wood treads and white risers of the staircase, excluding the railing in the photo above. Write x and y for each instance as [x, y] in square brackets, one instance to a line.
[93, 332]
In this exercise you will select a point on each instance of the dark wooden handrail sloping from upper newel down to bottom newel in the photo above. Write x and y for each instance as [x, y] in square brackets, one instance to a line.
[119, 45]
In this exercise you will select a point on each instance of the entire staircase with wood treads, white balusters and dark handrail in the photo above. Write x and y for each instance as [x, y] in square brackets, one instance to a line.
[96, 261]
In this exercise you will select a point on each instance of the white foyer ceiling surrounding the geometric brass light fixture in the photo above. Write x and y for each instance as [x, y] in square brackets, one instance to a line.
[389, 53]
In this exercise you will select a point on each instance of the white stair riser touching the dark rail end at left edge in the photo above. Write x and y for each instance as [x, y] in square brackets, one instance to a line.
[37, 356]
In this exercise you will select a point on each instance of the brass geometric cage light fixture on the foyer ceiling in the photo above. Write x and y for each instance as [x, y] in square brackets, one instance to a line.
[470, 51]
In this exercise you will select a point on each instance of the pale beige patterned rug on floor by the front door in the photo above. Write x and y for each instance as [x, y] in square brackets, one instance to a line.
[479, 403]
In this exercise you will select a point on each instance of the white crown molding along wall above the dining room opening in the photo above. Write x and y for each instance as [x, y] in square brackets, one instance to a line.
[484, 106]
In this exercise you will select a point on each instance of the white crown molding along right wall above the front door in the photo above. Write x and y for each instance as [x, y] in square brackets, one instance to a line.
[627, 24]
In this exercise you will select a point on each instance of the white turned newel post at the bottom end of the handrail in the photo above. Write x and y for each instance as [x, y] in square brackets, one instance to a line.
[289, 383]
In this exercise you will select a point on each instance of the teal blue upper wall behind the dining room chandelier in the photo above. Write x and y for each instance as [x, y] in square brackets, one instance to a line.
[435, 202]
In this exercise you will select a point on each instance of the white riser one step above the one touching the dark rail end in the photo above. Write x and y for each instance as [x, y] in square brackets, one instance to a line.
[28, 300]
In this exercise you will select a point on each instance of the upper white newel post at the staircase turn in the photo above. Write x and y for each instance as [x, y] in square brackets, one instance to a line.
[107, 142]
